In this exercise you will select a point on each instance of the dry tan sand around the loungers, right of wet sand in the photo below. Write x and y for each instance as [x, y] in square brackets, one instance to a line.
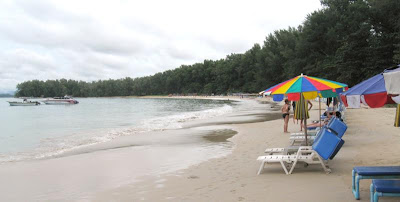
[371, 139]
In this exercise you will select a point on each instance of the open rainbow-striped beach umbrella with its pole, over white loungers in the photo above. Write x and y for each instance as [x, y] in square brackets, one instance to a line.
[305, 87]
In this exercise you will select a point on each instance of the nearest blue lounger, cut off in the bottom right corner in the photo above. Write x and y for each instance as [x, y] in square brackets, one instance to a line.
[384, 188]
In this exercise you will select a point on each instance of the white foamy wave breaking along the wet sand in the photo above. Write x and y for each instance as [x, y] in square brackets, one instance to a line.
[53, 147]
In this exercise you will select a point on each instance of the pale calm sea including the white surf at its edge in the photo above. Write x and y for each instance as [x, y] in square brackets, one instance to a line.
[35, 132]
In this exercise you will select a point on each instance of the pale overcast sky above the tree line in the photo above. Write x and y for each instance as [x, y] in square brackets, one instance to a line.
[91, 40]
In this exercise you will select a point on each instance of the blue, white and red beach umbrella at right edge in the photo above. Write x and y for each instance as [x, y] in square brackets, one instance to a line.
[371, 92]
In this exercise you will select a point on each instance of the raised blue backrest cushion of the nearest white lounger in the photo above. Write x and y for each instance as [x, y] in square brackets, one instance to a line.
[325, 145]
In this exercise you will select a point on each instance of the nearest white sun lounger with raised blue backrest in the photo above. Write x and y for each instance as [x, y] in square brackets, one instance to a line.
[324, 148]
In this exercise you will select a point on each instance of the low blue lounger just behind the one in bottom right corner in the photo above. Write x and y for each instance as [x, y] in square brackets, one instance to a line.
[372, 172]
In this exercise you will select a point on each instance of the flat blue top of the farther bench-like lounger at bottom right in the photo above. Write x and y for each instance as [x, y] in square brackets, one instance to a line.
[377, 170]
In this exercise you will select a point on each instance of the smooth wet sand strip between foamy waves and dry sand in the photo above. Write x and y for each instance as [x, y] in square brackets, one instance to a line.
[74, 176]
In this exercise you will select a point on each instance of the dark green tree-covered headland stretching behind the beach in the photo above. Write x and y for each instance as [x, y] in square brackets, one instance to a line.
[346, 41]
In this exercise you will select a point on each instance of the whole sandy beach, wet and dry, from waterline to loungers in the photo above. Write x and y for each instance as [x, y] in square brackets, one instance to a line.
[370, 139]
